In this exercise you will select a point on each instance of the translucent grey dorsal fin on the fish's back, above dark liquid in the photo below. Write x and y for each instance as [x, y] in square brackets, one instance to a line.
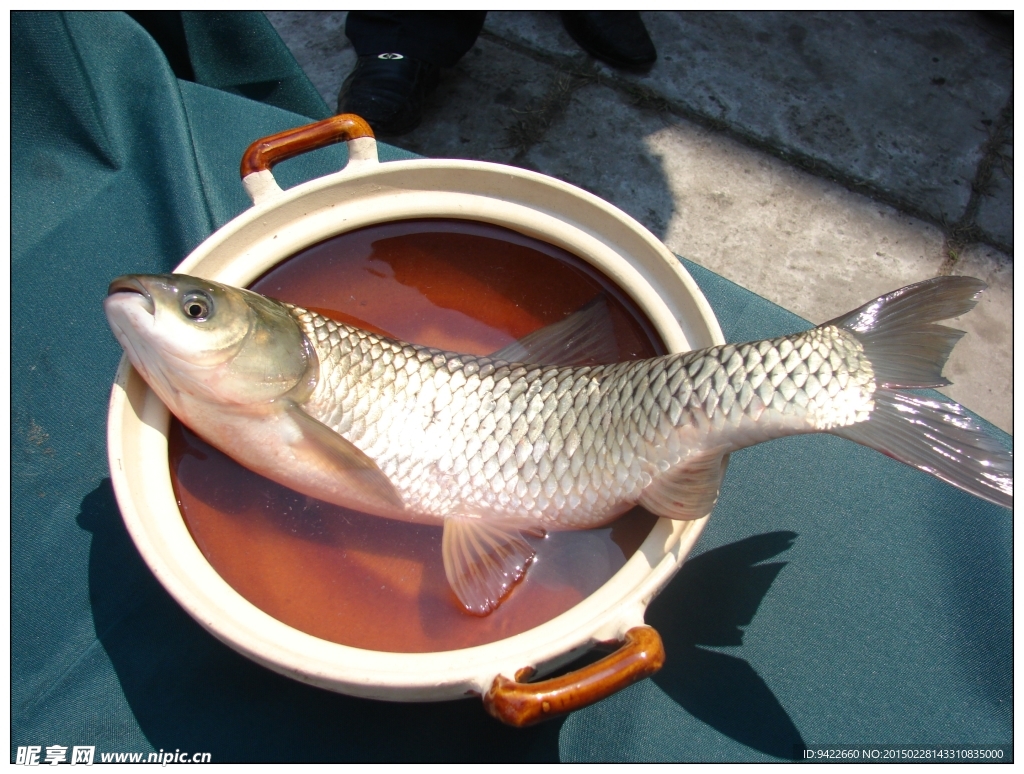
[587, 336]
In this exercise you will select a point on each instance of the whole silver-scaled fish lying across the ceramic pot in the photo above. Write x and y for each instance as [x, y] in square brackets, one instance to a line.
[494, 449]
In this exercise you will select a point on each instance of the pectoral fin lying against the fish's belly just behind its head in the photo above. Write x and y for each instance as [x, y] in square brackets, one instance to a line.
[359, 474]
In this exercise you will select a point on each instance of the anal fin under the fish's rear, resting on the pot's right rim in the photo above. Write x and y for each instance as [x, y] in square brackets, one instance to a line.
[691, 491]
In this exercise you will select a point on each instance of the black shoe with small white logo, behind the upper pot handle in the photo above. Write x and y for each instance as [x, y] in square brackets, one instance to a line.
[389, 91]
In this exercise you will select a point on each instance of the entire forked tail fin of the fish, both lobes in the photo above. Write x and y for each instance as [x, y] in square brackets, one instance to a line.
[908, 351]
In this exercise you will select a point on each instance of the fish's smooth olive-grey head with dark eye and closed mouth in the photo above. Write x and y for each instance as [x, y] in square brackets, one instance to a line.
[196, 339]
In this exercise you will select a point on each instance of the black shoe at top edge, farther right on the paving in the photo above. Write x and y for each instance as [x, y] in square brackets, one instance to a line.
[618, 38]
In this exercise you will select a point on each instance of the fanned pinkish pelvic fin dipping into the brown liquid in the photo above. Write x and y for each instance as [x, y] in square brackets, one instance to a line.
[483, 562]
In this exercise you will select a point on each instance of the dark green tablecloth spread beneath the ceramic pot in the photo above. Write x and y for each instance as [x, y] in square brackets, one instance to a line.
[837, 597]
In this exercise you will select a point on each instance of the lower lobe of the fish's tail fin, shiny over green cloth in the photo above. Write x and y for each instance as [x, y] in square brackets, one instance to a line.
[941, 439]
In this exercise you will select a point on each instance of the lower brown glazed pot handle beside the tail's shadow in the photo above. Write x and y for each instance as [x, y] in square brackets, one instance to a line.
[526, 704]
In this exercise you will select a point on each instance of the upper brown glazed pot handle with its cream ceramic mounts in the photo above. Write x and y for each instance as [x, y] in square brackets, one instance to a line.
[261, 157]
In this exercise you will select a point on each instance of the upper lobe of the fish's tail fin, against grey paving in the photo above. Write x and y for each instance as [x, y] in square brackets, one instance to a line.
[899, 333]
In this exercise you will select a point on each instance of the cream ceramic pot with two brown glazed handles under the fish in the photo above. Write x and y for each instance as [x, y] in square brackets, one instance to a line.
[281, 224]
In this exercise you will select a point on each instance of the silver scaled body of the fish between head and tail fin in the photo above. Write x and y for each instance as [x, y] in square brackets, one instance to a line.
[521, 442]
